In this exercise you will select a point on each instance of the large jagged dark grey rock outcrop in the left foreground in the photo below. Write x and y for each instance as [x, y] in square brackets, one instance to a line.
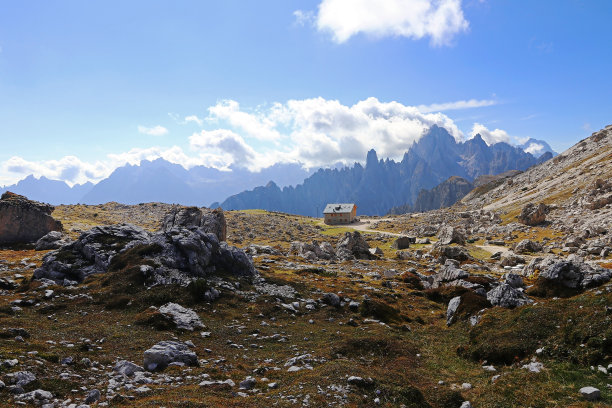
[176, 255]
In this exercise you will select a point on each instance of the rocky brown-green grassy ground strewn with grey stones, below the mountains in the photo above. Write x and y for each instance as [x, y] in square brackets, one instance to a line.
[491, 304]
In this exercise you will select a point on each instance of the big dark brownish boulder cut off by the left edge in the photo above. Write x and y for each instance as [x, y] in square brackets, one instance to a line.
[23, 220]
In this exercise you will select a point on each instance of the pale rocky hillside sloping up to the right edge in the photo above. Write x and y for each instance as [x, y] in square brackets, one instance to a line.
[575, 184]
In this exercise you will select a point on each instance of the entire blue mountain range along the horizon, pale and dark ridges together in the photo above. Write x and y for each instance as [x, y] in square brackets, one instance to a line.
[376, 187]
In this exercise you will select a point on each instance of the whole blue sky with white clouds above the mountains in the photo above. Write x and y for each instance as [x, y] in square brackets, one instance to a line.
[87, 86]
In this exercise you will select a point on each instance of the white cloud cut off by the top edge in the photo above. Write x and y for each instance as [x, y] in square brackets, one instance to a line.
[440, 20]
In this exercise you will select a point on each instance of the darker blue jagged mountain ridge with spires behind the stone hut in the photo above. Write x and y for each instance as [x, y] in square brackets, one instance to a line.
[384, 184]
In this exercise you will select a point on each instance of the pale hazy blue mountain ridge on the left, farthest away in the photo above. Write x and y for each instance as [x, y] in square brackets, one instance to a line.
[158, 181]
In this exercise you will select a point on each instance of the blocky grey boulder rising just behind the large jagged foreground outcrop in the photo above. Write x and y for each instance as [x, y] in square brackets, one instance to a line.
[212, 221]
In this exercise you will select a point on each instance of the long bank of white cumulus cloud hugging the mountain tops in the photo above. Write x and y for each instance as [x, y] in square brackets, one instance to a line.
[315, 132]
